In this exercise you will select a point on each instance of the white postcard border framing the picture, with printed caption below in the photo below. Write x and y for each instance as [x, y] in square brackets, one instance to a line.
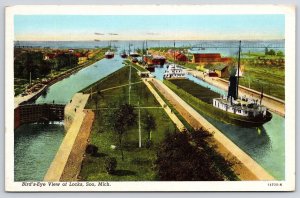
[289, 11]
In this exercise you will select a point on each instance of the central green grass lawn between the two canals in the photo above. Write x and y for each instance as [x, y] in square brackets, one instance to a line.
[138, 164]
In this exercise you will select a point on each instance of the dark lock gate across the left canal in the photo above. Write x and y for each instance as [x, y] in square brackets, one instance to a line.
[41, 113]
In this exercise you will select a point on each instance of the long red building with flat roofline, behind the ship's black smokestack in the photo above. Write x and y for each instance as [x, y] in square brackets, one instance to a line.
[210, 58]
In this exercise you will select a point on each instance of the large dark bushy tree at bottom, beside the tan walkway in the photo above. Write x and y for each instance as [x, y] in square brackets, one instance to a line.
[181, 157]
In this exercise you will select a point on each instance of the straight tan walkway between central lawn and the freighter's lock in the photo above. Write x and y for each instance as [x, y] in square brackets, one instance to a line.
[247, 168]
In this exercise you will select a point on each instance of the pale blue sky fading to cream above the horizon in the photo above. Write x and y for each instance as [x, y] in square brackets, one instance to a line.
[167, 27]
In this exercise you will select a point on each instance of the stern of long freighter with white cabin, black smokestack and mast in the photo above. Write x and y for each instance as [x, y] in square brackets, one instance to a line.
[240, 110]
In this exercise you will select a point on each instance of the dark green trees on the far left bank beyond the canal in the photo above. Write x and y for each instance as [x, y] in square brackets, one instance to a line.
[33, 63]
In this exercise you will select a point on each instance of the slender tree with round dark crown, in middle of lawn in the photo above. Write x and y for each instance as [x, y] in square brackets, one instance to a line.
[121, 119]
